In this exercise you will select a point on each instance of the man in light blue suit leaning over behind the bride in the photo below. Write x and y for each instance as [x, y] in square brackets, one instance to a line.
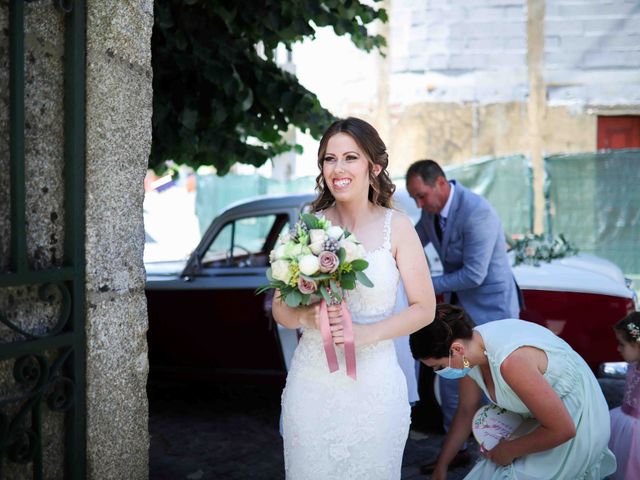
[467, 234]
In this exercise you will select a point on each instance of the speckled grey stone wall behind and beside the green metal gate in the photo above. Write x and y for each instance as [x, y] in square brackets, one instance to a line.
[118, 140]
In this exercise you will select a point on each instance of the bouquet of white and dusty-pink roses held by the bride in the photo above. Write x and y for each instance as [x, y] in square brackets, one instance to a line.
[316, 260]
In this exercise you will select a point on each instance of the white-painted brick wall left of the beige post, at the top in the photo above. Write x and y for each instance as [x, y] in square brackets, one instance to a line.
[458, 51]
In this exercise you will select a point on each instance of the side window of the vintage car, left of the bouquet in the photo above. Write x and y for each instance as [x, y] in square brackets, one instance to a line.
[245, 241]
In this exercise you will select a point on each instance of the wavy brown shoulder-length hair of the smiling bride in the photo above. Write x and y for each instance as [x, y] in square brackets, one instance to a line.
[381, 187]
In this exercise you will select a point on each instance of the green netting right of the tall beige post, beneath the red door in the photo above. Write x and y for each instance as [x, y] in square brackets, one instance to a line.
[594, 200]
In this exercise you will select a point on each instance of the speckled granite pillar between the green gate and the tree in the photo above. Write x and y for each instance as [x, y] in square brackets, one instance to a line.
[119, 107]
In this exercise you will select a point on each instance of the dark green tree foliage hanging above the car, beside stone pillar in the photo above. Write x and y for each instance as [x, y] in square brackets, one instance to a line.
[217, 100]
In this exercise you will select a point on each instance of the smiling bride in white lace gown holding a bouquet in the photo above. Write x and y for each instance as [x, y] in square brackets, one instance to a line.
[335, 427]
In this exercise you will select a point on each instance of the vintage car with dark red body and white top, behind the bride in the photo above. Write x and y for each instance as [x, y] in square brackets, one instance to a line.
[206, 321]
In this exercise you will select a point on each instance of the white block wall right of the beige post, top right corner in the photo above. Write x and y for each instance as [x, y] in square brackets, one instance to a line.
[592, 52]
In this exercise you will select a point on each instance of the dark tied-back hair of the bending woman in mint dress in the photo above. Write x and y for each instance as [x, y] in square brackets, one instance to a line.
[434, 341]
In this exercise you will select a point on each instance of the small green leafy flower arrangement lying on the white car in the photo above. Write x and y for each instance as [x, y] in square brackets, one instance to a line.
[531, 249]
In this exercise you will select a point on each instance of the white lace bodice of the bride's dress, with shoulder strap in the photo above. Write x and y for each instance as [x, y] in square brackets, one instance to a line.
[371, 304]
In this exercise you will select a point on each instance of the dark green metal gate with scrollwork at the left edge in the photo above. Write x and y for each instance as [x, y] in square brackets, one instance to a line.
[45, 370]
